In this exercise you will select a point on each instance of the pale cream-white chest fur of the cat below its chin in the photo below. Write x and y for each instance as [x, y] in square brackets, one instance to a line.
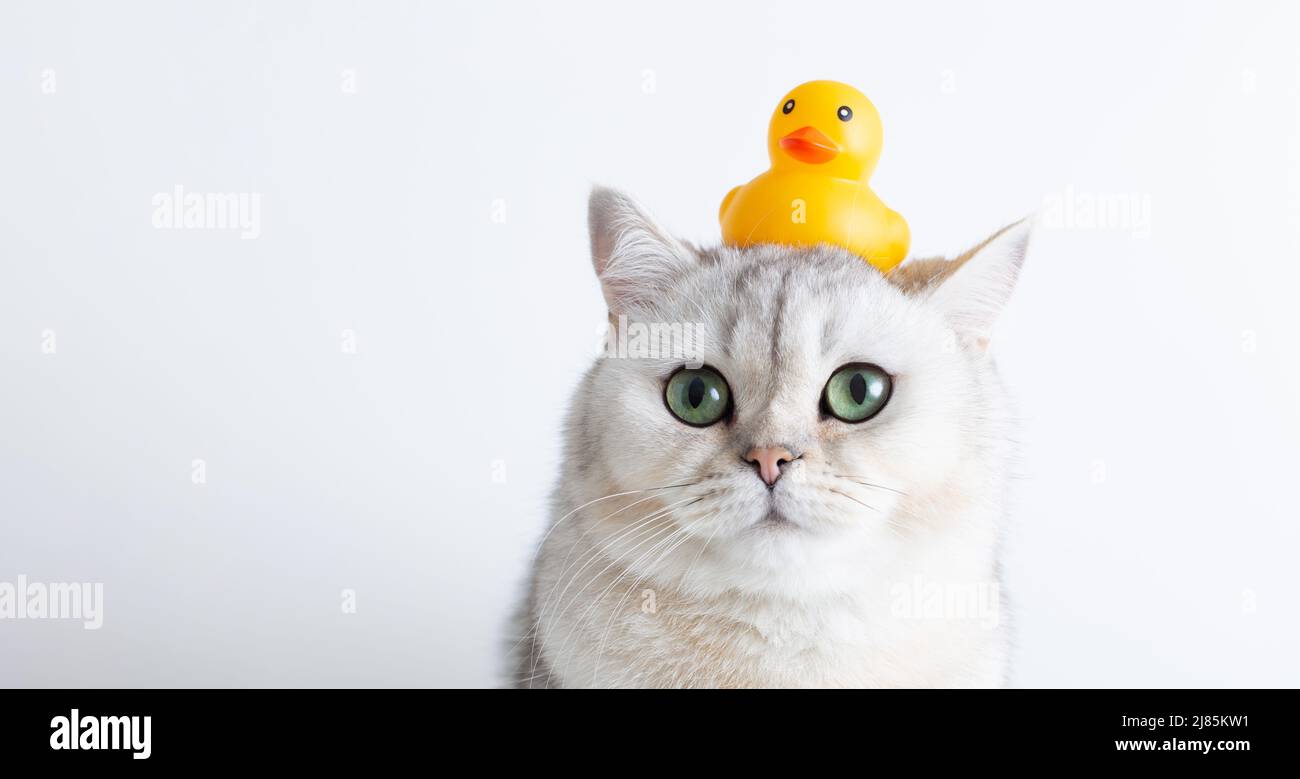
[653, 637]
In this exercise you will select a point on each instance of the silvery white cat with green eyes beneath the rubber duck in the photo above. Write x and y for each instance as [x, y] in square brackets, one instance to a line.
[813, 497]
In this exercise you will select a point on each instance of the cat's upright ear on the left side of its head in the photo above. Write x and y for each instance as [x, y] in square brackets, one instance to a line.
[634, 258]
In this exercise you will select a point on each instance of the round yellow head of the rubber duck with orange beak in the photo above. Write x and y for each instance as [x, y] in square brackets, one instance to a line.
[826, 127]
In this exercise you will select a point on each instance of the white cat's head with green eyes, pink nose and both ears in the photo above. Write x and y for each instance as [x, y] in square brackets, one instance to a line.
[785, 408]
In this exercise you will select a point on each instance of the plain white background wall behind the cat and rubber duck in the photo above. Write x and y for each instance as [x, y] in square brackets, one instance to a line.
[1155, 534]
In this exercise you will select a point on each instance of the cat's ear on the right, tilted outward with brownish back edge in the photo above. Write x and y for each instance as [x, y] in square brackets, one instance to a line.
[974, 288]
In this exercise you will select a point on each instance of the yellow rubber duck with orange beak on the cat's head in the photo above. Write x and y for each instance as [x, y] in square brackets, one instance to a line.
[825, 140]
